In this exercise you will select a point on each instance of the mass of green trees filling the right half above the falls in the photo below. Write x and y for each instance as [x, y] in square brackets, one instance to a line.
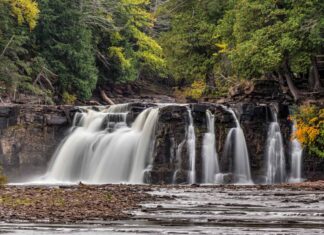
[244, 39]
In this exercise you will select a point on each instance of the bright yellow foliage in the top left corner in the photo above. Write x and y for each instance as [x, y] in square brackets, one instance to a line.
[26, 11]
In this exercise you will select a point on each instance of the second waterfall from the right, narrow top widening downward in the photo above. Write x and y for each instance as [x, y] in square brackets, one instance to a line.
[275, 156]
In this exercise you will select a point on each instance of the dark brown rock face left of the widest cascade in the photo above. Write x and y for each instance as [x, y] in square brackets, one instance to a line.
[30, 135]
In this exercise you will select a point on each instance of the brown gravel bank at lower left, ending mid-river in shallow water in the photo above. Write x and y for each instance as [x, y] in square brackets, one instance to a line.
[70, 204]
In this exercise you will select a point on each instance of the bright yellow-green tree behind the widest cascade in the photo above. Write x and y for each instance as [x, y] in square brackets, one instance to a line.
[127, 50]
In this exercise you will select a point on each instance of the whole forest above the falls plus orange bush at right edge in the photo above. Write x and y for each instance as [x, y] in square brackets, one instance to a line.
[63, 51]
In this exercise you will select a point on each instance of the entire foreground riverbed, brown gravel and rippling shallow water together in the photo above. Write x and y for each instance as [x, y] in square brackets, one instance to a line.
[163, 209]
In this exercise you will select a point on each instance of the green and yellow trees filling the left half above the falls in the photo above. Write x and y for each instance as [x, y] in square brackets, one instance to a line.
[67, 48]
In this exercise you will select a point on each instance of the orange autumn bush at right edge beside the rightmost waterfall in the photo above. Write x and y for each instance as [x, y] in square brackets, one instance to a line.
[310, 128]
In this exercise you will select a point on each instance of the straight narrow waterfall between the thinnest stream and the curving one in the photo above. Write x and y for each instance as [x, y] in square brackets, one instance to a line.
[209, 154]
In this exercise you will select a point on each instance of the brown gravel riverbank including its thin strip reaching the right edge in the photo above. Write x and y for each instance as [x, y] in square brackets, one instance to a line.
[76, 204]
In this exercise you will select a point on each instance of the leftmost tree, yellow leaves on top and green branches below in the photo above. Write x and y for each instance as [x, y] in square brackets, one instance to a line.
[16, 65]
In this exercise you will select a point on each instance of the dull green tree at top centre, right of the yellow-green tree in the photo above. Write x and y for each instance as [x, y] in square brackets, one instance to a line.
[191, 46]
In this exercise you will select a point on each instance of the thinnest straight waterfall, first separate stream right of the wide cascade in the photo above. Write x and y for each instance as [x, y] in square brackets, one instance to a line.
[191, 146]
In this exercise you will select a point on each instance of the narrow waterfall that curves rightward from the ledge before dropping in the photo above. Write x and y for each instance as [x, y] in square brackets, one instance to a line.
[236, 139]
